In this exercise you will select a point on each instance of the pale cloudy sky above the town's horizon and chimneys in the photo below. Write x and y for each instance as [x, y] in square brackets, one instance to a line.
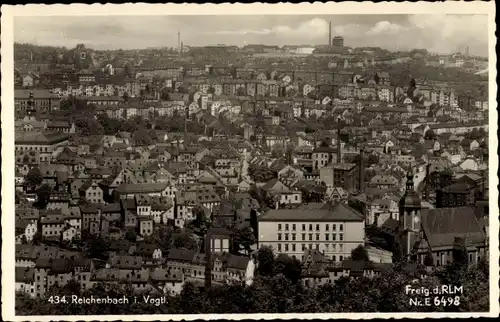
[437, 33]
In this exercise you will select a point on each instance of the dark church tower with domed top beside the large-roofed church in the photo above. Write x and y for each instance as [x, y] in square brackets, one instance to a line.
[409, 217]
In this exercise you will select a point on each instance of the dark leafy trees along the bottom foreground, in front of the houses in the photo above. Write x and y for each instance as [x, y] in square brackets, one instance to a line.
[277, 288]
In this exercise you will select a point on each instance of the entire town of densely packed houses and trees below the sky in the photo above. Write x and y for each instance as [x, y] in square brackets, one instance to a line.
[249, 179]
